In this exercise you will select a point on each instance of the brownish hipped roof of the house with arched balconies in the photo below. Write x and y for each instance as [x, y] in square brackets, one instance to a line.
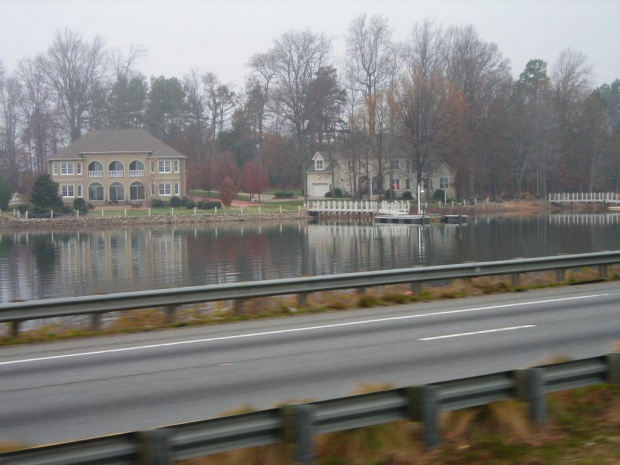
[118, 141]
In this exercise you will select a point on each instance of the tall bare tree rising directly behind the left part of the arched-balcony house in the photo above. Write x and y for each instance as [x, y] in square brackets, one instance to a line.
[74, 68]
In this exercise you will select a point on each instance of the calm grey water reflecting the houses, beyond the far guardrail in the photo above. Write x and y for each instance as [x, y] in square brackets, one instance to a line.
[37, 266]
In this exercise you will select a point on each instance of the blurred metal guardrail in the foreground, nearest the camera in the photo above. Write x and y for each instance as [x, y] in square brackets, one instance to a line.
[299, 424]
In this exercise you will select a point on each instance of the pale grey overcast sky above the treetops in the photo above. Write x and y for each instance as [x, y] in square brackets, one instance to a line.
[220, 35]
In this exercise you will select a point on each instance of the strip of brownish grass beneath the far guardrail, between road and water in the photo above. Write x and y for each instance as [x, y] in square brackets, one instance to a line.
[132, 321]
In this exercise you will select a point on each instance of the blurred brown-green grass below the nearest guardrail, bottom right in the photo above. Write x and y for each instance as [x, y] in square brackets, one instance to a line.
[584, 428]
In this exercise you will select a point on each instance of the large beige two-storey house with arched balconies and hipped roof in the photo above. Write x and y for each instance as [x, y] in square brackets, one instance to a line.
[118, 166]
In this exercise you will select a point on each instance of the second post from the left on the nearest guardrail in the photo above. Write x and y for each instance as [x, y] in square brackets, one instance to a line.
[299, 429]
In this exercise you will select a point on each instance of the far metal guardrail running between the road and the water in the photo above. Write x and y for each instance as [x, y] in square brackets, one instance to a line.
[171, 298]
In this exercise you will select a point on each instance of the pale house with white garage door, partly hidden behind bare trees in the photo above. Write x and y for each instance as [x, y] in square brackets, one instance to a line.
[400, 174]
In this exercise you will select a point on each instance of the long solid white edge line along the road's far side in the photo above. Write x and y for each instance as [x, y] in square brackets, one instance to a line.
[293, 330]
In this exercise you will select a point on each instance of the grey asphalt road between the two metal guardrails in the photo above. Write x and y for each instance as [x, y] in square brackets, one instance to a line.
[72, 390]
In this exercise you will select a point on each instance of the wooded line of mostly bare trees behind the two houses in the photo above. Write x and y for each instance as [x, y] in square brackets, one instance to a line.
[444, 95]
